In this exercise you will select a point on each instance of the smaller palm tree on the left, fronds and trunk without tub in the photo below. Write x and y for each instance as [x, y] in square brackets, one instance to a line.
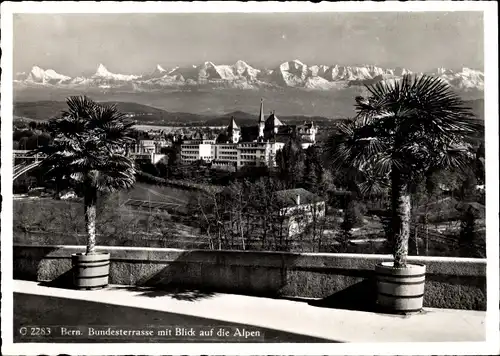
[88, 154]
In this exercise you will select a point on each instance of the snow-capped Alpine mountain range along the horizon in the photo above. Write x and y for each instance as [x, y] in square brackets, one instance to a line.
[240, 75]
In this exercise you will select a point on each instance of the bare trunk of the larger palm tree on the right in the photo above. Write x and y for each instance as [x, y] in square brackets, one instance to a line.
[401, 213]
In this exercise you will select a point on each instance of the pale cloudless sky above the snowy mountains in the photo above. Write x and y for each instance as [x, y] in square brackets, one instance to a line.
[74, 44]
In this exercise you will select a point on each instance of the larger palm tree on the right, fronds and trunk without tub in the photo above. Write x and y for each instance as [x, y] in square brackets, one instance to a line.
[403, 132]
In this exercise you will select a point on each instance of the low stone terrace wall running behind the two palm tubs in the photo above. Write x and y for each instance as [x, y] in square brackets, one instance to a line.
[331, 280]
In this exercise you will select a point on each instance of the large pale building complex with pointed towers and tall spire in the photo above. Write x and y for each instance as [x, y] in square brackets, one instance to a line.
[237, 147]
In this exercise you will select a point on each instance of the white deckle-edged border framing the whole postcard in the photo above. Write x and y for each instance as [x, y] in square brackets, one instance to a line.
[491, 346]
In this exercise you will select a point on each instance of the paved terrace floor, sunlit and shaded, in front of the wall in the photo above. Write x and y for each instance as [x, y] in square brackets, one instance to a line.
[277, 320]
